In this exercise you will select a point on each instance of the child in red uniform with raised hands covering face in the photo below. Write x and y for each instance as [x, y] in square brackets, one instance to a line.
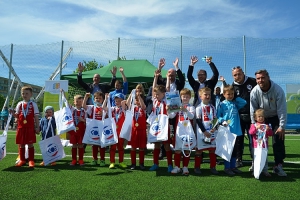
[138, 132]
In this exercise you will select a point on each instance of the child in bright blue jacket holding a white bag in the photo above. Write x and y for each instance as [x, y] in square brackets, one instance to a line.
[228, 115]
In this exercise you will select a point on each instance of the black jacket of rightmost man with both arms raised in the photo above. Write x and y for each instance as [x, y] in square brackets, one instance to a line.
[211, 83]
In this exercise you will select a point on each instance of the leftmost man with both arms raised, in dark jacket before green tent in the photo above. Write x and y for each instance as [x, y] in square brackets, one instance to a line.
[96, 85]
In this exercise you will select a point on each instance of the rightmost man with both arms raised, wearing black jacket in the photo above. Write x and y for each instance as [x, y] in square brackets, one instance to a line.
[202, 82]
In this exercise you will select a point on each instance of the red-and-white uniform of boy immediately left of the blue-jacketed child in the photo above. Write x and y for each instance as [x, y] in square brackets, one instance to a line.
[205, 113]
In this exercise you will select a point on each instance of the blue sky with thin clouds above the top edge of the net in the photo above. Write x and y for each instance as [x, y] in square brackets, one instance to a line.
[39, 22]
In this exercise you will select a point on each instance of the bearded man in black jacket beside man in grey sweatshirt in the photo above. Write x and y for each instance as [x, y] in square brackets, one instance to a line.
[243, 85]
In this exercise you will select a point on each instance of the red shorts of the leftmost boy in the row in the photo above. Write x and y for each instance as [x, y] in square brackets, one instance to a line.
[25, 136]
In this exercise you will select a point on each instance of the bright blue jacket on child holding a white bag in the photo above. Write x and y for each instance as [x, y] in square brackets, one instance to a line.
[229, 111]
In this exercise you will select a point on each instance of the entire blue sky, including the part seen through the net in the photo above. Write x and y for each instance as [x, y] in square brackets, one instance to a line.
[32, 24]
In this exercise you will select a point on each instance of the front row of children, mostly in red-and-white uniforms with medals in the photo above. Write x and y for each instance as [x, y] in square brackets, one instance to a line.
[202, 116]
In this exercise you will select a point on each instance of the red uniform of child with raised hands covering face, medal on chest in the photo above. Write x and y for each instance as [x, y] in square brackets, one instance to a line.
[138, 135]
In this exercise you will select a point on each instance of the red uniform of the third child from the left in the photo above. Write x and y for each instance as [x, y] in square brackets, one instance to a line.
[77, 135]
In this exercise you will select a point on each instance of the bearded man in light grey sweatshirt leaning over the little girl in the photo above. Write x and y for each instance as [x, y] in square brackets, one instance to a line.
[270, 97]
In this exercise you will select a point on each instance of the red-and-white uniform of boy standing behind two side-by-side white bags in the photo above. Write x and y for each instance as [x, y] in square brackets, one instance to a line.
[95, 148]
